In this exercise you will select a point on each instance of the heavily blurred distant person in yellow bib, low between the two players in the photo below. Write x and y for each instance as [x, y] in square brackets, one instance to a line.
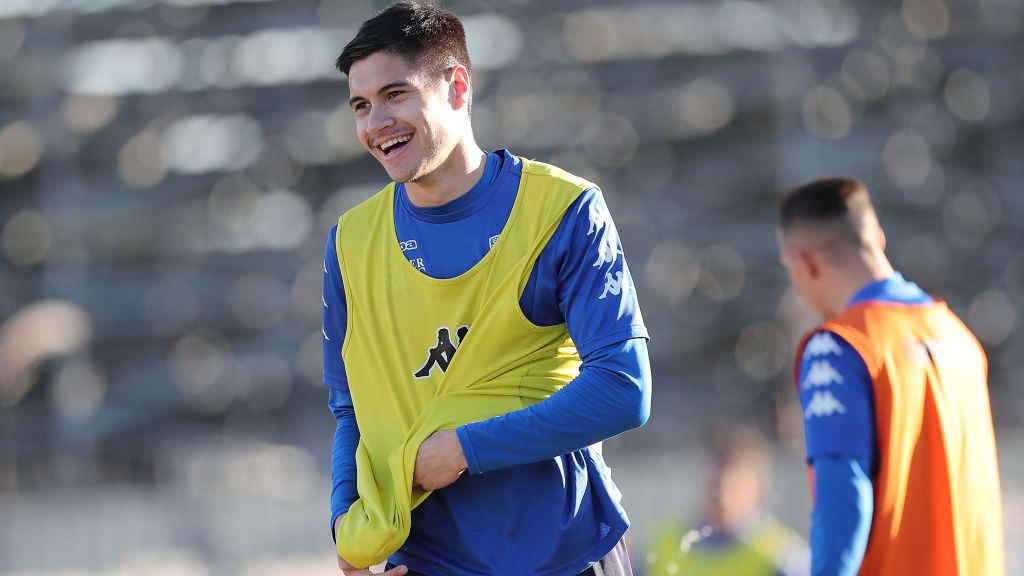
[738, 538]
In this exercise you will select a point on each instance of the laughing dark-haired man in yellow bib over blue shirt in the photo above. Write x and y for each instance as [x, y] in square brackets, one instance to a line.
[503, 260]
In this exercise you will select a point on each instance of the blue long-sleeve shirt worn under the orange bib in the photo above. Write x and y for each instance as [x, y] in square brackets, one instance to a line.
[837, 395]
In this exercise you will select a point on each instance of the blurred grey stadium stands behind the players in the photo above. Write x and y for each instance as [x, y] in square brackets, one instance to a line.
[169, 171]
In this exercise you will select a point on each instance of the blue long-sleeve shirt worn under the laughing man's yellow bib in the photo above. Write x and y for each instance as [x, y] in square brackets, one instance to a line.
[533, 483]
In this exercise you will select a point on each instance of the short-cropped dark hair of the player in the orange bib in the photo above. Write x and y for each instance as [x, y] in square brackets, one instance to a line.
[838, 202]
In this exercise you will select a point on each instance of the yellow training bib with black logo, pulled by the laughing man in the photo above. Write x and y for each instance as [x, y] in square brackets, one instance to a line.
[401, 343]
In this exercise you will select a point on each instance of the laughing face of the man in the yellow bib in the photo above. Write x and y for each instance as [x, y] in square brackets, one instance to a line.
[404, 116]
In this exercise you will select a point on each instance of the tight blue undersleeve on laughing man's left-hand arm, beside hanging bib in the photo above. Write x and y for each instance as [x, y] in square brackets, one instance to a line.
[347, 439]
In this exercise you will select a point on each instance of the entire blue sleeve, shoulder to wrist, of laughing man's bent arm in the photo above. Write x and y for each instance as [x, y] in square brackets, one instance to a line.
[585, 273]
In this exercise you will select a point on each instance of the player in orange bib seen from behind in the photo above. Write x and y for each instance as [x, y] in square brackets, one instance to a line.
[895, 398]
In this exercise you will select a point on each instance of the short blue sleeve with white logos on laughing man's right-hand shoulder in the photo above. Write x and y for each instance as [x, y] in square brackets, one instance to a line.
[582, 279]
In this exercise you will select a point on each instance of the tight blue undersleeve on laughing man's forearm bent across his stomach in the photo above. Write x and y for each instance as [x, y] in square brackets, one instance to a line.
[612, 395]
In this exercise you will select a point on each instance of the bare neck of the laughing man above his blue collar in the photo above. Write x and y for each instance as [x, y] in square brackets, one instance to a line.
[457, 176]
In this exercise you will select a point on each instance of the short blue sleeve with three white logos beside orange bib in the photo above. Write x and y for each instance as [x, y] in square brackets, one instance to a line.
[838, 399]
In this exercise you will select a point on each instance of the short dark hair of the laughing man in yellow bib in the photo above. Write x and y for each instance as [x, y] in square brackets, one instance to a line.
[422, 34]
